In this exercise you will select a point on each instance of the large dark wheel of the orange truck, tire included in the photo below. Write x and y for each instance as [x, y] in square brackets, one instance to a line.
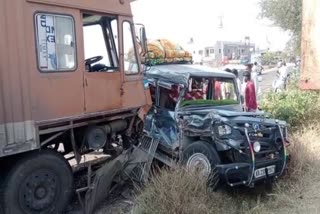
[40, 182]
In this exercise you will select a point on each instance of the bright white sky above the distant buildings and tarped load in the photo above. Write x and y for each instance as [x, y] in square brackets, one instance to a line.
[179, 20]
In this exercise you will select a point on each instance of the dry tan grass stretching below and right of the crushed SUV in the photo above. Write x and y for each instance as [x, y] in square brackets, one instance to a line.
[177, 191]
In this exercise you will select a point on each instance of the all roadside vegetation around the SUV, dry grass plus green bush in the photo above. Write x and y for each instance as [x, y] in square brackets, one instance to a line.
[297, 191]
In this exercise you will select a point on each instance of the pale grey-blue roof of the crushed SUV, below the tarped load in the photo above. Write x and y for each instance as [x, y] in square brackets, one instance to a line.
[180, 74]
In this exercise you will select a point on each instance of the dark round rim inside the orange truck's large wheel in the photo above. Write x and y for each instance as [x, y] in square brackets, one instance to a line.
[39, 191]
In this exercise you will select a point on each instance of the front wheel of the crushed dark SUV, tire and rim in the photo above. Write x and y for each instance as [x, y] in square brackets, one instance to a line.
[204, 155]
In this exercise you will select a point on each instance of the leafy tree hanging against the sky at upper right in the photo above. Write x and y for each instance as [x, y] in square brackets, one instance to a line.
[286, 14]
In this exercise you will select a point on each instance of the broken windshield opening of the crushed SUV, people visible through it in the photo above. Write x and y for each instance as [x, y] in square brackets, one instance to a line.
[211, 91]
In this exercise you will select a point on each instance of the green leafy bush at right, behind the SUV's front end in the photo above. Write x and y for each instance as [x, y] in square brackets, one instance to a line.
[294, 106]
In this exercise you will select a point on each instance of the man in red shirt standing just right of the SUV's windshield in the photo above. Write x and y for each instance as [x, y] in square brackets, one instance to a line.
[250, 93]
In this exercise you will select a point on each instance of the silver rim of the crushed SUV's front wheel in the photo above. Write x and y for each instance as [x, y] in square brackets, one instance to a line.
[199, 161]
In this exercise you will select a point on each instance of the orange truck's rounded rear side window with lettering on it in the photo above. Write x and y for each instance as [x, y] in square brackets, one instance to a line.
[55, 42]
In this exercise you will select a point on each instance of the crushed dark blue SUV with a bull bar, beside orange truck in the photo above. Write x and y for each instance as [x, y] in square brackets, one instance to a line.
[198, 119]
